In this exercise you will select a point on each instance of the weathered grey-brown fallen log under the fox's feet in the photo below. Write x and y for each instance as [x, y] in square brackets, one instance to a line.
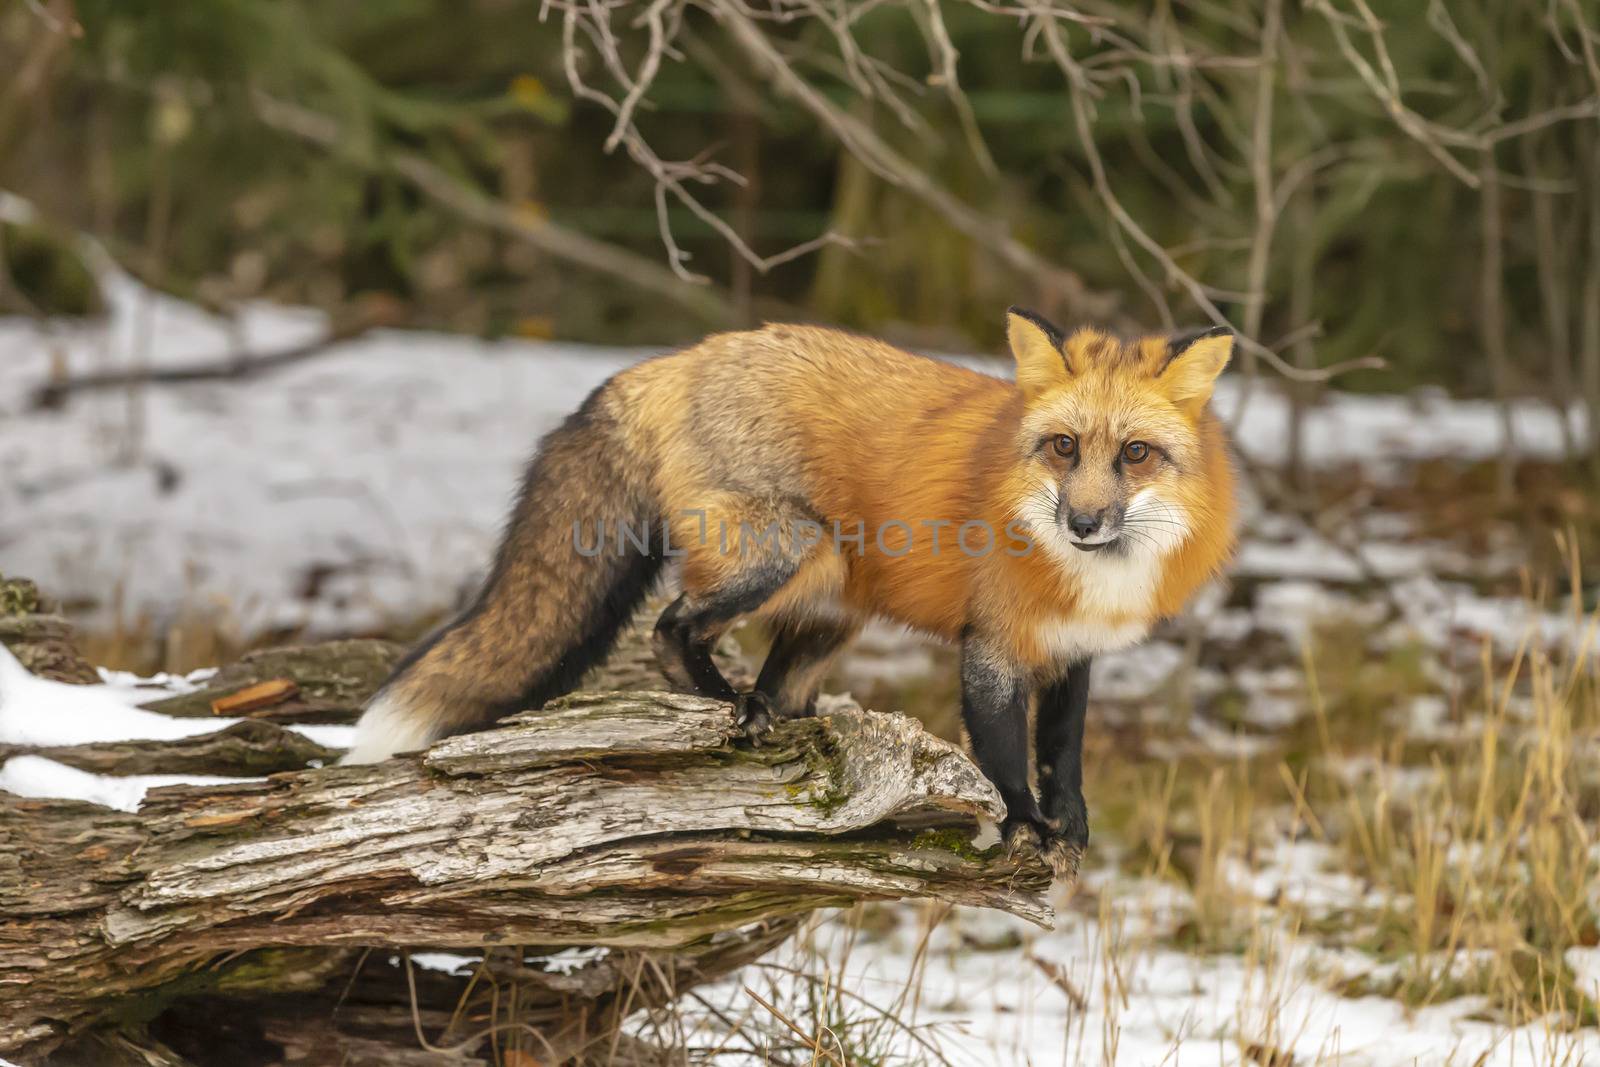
[634, 821]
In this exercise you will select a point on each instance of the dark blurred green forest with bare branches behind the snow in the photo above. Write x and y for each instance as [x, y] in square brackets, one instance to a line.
[1342, 180]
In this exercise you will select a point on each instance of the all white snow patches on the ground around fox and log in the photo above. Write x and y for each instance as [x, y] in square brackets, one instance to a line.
[369, 486]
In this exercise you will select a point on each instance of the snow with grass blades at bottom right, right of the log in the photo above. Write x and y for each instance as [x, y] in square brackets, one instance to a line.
[1143, 1004]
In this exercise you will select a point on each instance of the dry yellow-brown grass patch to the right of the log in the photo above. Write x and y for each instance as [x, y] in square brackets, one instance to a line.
[1474, 858]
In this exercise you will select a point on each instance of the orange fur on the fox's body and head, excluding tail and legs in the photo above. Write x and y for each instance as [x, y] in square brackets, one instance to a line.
[873, 436]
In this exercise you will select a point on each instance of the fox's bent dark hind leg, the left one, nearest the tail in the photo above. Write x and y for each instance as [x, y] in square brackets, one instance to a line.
[689, 629]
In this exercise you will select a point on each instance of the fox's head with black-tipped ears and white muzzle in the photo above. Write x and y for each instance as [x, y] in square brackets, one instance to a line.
[1114, 434]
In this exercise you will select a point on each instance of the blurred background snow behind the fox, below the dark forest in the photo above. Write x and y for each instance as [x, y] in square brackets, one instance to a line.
[378, 474]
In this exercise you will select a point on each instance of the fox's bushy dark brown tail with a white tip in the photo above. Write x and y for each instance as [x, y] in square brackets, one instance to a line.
[562, 588]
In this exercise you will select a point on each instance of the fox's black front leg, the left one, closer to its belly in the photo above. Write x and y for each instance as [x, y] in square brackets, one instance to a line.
[994, 711]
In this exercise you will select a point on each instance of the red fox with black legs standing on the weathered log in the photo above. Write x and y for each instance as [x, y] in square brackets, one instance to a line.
[820, 479]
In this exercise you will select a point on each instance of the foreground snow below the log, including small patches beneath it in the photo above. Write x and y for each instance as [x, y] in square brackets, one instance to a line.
[986, 989]
